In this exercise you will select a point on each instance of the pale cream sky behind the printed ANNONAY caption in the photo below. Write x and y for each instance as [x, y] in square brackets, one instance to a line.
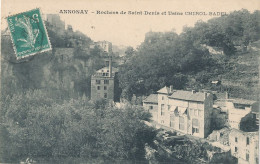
[124, 29]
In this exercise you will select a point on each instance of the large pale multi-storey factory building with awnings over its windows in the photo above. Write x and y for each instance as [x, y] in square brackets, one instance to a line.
[188, 112]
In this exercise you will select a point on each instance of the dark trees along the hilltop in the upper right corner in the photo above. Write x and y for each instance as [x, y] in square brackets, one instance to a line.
[239, 28]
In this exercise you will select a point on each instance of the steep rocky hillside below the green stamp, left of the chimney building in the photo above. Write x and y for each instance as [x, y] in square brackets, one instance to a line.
[65, 70]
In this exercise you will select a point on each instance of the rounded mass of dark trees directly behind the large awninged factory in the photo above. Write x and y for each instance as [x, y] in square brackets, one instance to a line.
[160, 61]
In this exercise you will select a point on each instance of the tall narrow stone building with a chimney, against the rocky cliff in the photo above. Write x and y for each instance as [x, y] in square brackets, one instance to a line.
[104, 83]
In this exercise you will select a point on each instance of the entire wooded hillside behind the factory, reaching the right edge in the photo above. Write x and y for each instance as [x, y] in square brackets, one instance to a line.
[185, 60]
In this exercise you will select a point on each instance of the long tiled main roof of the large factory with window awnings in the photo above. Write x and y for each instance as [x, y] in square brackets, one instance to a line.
[188, 95]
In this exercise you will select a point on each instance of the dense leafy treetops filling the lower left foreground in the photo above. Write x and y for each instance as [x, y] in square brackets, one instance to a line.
[36, 126]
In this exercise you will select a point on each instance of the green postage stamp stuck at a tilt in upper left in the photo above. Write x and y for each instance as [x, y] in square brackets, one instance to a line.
[28, 33]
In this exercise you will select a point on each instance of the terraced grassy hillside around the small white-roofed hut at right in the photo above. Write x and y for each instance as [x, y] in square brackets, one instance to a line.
[239, 73]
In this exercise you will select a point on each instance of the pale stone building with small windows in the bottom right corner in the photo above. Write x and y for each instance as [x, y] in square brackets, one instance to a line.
[244, 146]
